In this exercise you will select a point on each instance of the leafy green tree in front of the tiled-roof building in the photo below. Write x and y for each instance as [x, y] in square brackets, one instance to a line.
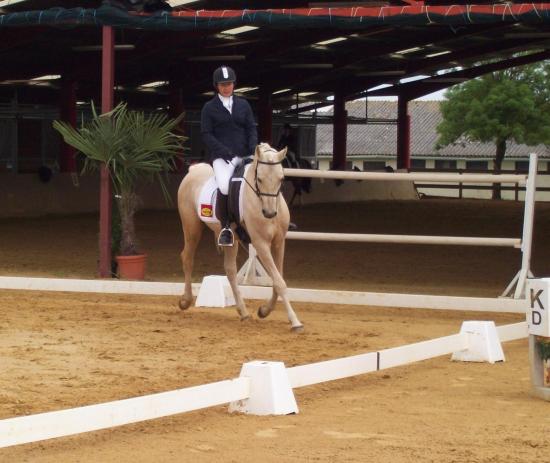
[503, 106]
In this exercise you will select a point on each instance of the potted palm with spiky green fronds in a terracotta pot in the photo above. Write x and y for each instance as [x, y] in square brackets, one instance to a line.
[134, 147]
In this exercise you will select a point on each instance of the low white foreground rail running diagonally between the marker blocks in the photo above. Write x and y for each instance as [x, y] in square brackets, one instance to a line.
[49, 425]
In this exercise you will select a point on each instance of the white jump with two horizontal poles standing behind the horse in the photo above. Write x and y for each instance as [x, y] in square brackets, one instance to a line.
[253, 273]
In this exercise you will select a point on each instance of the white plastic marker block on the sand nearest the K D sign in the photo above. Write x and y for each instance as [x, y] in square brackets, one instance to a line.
[483, 341]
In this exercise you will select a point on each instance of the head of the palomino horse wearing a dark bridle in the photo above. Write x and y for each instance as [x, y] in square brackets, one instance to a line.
[269, 177]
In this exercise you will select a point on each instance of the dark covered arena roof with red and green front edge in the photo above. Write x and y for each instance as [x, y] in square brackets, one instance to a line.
[301, 54]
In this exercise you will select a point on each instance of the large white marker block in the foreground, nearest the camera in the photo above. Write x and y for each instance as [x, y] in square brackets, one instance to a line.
[270, 390]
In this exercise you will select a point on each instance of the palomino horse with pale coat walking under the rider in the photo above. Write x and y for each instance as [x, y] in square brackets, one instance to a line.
[265, 216]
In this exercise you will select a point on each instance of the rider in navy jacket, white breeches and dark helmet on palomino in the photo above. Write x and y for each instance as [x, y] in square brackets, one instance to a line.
[229, 132]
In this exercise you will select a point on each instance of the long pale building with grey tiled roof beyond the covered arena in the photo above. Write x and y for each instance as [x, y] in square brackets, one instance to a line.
[372, 145]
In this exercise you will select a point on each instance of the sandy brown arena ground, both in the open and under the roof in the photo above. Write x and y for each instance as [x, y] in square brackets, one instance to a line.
[61, 350]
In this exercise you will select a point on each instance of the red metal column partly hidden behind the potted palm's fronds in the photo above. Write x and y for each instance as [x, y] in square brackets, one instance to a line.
[107, 99]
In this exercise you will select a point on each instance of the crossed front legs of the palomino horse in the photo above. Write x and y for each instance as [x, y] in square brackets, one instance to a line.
[274, 266]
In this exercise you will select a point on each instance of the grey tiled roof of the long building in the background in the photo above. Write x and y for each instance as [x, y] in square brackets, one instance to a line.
[381, 139]
